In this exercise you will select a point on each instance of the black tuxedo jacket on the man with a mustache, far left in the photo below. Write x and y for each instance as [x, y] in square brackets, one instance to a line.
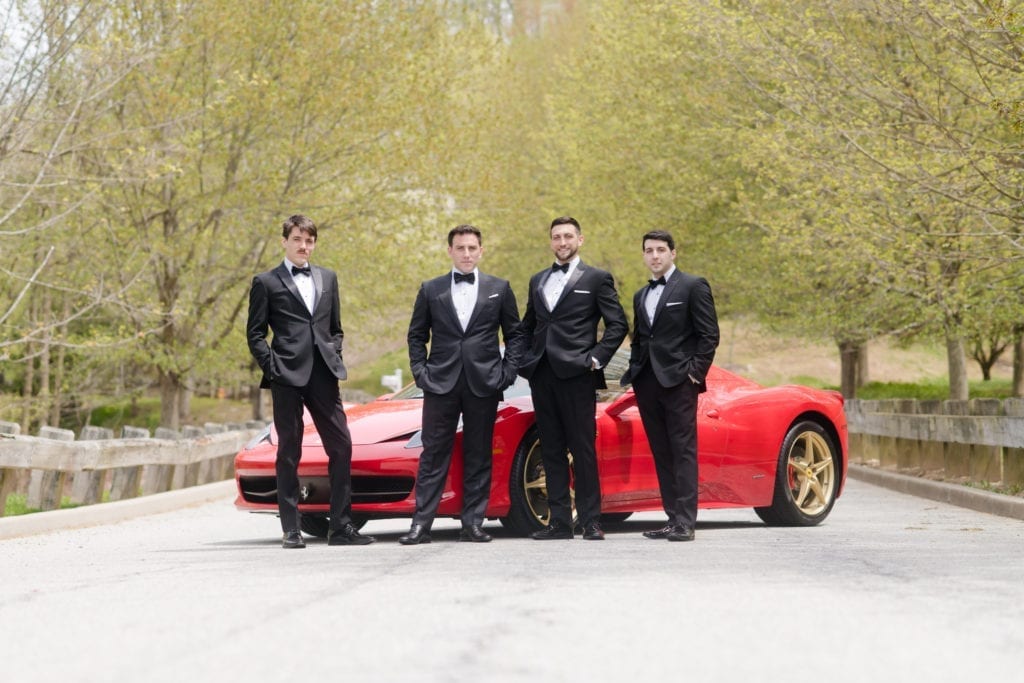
[275, 303]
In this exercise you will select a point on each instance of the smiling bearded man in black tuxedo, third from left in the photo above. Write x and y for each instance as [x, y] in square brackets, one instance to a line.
[564, 364]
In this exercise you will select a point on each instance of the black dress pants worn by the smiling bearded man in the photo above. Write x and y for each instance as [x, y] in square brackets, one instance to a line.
[565, 410]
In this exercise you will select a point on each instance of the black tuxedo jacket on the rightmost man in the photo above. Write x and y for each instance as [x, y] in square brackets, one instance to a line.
[680, 346]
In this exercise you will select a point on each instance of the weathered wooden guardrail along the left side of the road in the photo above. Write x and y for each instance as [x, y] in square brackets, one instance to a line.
[54, 467]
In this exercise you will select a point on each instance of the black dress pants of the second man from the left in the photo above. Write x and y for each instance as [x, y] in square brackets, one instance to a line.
[441, 421]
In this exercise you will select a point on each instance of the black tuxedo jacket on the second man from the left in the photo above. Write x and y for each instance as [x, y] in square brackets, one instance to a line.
[476, 352]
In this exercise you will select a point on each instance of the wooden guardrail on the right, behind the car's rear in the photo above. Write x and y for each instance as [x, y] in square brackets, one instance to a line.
[979, 441]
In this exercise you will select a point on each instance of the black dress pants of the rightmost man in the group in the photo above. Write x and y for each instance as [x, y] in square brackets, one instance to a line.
[670, 419]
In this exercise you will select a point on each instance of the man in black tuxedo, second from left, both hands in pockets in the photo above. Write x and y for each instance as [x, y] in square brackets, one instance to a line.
[460, 315]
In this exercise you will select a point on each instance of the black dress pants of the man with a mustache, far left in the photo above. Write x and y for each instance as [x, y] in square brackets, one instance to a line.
[323, 398]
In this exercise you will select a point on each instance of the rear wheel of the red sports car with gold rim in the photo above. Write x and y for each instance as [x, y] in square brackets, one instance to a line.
[806, 479]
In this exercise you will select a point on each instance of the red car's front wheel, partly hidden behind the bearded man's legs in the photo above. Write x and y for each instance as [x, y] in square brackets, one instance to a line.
[529, 510]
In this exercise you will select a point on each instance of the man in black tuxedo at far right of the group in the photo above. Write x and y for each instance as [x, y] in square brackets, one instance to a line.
[675, 336]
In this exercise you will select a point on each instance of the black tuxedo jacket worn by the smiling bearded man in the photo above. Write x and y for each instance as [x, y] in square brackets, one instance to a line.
[568, 334]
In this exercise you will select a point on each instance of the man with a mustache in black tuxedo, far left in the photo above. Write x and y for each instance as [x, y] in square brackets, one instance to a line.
[302, 366]
